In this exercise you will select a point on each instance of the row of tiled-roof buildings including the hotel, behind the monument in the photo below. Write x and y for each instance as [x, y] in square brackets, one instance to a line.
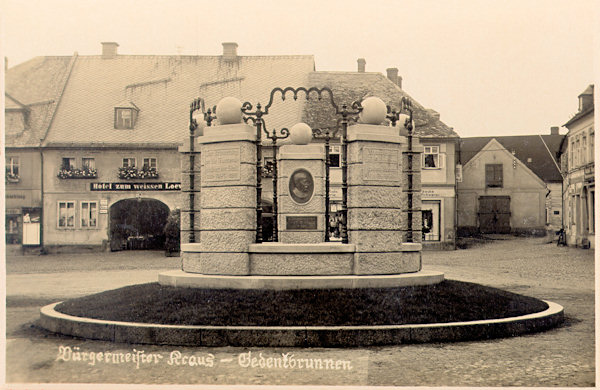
[108, 162]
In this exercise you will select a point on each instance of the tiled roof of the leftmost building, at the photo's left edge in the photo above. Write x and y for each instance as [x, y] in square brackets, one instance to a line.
[36, 84]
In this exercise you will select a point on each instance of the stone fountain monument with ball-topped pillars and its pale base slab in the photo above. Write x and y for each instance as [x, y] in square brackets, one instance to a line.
[227, 254]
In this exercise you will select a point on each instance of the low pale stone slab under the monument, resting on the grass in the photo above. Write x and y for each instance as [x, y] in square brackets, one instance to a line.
[178, 278]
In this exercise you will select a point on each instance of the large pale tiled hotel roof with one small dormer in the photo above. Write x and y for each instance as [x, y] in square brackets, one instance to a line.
[162, 87]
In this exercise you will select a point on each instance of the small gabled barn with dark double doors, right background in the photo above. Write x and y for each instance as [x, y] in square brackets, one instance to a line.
[510, 184]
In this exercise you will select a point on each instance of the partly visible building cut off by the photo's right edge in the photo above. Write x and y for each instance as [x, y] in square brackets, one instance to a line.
[578, 168]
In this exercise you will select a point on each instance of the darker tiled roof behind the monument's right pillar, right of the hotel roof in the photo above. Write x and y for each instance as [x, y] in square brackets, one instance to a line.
[355, 86]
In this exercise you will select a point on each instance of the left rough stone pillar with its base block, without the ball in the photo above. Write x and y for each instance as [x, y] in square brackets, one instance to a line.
[228, 209]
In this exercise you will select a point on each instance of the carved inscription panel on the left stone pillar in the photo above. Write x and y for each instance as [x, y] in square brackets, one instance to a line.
[221, 164]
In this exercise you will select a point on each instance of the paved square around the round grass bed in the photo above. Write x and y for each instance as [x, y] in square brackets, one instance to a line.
[560, 357]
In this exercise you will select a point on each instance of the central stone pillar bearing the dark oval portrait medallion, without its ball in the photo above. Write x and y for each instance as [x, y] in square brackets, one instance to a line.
[301, 194]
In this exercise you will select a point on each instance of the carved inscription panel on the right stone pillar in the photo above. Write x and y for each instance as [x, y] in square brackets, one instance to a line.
[381, 164]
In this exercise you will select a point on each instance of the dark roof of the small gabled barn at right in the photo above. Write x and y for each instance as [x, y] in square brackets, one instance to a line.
[531, 150]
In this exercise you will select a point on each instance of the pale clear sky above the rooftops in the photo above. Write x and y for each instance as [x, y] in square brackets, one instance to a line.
[488, 67]
